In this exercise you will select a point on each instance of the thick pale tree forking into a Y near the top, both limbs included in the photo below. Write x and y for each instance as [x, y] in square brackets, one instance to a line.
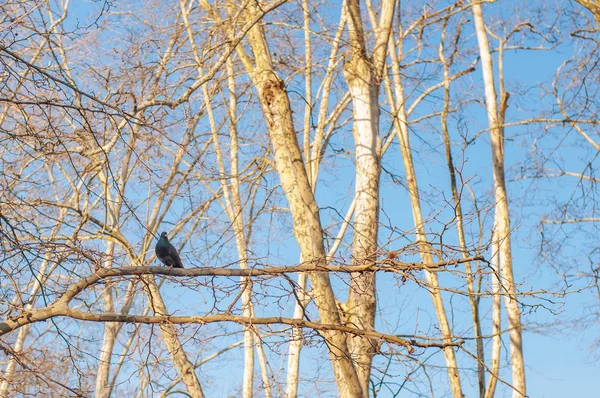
[363, 77]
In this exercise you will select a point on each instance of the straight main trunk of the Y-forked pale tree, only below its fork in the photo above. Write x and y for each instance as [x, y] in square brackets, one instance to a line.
[361, 304]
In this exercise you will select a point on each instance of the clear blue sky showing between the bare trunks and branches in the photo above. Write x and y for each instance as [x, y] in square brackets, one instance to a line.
[560, 357]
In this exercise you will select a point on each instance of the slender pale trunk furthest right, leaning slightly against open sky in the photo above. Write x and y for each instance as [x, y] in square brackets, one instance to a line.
[502, 224]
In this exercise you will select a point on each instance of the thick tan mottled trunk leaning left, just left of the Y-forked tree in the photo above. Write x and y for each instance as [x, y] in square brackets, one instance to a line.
[304, 209]
